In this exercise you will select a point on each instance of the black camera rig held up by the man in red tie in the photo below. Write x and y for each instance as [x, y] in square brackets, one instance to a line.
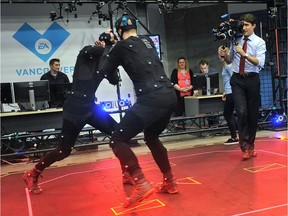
[228, 30]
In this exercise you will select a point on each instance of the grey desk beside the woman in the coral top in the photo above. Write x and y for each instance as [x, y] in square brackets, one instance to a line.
[203, 104]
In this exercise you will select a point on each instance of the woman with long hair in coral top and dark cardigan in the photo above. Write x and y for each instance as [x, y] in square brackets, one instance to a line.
[182, 79]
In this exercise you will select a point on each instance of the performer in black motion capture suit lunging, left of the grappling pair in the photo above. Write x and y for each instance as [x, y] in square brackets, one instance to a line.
[79, 108]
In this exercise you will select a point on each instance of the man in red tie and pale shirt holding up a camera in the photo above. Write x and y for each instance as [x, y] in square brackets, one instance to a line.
[248, 56]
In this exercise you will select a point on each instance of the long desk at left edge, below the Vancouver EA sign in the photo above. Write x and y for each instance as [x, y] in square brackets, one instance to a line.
[31, 121]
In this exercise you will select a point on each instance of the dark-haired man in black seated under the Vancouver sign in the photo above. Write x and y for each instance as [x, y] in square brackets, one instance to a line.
[59, 84]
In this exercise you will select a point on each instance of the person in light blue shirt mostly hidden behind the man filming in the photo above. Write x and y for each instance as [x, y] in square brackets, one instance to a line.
[227, 97]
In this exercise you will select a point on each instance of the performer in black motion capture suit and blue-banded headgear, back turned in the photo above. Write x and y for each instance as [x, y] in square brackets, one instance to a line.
[156, 100]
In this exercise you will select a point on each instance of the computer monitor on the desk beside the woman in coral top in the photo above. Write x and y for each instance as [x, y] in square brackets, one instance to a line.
[201, 82]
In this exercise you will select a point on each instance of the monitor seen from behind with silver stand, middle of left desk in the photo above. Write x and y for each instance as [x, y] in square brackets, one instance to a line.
[31, 92]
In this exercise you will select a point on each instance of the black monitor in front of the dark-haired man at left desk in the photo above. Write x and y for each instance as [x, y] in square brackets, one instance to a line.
[58, 94]
